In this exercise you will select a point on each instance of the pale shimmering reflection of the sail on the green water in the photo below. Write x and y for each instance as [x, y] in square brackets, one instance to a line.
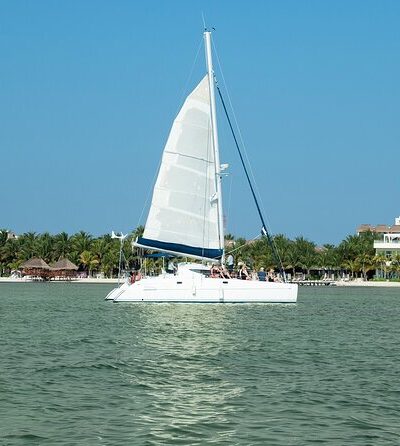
[182, 369]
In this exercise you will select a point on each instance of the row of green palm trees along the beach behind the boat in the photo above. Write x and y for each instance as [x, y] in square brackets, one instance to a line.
[355, 255]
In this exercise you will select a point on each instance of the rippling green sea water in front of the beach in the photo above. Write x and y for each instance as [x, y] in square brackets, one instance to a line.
[77, 370]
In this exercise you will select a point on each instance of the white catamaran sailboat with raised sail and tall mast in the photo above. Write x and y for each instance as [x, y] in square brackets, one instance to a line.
[186, 216]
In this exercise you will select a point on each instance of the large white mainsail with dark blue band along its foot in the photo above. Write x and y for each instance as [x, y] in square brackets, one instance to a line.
[183, 216]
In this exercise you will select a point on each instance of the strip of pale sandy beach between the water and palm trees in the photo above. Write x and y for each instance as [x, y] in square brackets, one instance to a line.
[339, 283]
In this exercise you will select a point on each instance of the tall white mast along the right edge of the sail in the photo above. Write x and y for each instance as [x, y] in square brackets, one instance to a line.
[218, 177]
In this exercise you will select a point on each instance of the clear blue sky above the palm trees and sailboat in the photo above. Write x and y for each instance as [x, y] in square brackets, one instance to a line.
[89, 89]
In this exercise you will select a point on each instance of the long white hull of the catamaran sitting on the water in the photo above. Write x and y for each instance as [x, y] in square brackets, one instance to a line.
[200, 289]
